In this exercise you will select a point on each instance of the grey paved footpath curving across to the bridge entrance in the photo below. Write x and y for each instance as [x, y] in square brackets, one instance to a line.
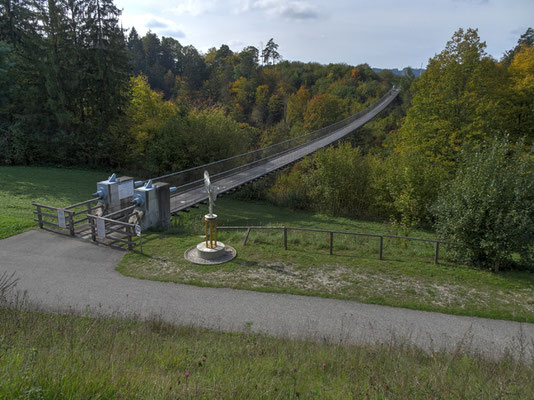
[65, 274]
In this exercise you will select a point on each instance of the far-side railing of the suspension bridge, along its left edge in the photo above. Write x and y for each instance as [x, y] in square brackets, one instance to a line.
[327, 129]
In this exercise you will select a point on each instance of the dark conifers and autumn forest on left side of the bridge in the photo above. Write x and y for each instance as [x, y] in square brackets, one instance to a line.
[76, 85]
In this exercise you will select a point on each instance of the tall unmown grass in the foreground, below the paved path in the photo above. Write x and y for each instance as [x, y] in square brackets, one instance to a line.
[44, 356]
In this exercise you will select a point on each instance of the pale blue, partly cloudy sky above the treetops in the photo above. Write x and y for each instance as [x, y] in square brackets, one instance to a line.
[381, 33]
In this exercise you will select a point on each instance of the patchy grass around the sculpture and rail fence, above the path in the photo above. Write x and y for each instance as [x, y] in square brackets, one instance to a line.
[406, 277]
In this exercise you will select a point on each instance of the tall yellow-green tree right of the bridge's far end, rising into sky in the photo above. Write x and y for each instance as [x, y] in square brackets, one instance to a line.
[445, 111]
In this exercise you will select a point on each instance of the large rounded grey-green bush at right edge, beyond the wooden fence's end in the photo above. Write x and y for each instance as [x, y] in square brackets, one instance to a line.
[489, 206]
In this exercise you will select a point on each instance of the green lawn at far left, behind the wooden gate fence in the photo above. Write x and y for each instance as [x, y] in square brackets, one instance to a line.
[20, 186]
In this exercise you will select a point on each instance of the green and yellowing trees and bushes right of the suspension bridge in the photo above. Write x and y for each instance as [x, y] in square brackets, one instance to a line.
[461, 160]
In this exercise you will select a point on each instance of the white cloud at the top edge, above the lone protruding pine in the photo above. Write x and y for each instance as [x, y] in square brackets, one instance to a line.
[291, 10]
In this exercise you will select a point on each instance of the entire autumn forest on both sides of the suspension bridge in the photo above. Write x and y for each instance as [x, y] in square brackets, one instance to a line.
[454, 153]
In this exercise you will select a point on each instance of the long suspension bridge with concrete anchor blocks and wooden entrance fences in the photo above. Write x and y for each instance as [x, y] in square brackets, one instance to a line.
[122, 208]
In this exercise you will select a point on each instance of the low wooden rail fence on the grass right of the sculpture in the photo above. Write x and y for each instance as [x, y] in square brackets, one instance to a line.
[286, 229]
